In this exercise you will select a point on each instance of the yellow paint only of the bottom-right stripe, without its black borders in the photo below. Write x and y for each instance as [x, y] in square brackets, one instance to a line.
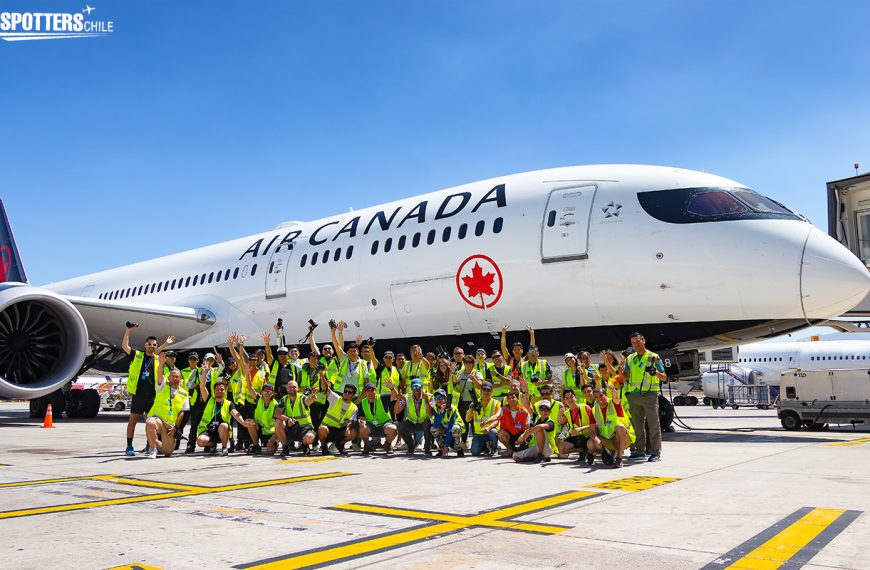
[776, 551]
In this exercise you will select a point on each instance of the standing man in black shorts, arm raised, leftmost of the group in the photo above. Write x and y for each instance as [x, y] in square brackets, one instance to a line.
[140, 380]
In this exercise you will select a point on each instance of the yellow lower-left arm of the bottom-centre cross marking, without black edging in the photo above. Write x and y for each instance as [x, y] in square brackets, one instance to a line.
[361, 548]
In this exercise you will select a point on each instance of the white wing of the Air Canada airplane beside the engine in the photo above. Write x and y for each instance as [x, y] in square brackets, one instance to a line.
[106, 319]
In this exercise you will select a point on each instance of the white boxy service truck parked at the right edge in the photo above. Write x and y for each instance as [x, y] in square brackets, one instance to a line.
[813, 398]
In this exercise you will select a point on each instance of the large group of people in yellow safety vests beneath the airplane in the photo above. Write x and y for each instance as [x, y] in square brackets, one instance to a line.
[507, 402]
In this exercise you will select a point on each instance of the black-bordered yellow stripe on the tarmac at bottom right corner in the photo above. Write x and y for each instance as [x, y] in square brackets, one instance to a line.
[792, 542]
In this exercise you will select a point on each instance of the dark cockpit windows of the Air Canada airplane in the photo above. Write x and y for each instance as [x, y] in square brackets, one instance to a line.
[695, 205]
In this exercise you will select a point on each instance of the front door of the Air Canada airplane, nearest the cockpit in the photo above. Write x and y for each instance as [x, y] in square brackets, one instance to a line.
[565, 231]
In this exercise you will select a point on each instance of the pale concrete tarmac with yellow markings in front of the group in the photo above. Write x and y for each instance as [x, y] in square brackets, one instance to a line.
[735, 491]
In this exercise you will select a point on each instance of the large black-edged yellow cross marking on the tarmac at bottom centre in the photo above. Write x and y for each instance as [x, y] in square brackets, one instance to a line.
[438, 524]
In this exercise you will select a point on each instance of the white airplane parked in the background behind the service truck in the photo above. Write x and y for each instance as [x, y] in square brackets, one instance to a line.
[763, 362]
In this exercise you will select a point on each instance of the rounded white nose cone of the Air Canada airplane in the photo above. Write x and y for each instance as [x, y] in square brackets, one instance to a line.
[833, 280]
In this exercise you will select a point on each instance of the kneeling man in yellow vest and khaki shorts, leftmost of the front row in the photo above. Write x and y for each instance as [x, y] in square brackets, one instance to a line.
[170, 404]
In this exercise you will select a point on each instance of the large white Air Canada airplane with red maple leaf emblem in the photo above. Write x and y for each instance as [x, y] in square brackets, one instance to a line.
[649, 250]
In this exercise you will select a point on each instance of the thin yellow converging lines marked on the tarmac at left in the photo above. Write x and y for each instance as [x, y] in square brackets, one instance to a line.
[182, 491]
